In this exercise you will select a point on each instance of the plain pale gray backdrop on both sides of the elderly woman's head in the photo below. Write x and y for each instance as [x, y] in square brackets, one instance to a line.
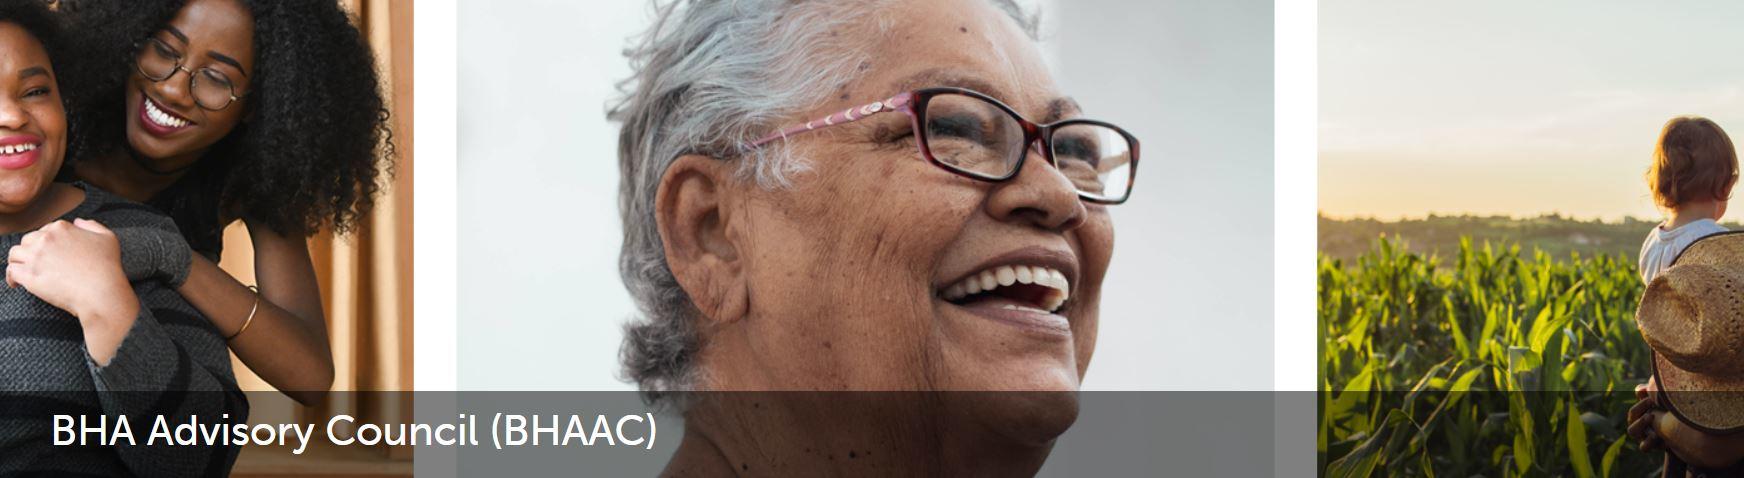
[1185, 308]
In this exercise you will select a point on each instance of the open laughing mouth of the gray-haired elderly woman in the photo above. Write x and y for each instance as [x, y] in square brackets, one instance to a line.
[1030, 289]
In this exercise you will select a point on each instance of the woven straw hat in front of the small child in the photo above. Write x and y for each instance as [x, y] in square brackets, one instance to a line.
[1694, 318]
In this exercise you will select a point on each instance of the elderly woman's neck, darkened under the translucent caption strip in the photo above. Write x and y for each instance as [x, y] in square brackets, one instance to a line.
[843, 434]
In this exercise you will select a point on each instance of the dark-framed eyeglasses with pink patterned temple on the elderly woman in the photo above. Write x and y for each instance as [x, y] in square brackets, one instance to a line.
[972, 135]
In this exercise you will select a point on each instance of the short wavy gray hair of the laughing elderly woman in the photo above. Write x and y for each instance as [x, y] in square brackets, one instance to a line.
[711, 76]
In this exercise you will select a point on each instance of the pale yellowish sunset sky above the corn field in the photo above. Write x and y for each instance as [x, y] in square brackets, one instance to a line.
[1515, 107]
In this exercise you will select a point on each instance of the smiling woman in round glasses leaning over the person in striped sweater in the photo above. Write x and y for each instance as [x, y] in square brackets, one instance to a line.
[224, 111]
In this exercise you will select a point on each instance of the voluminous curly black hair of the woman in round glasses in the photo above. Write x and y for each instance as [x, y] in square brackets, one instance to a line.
[313, 147]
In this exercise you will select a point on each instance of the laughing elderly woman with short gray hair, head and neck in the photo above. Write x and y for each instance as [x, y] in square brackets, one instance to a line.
[862, 196]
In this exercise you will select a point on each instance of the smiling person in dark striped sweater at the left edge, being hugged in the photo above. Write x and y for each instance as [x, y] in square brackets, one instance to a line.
[78, 334]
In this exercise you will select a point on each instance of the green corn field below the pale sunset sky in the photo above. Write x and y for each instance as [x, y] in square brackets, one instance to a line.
[1497, 364]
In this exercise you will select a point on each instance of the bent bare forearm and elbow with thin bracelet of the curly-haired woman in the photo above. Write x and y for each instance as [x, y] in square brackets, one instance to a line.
[287, 343]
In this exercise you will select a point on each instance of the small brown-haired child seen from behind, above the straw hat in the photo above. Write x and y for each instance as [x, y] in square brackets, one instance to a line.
[1693, 175]
